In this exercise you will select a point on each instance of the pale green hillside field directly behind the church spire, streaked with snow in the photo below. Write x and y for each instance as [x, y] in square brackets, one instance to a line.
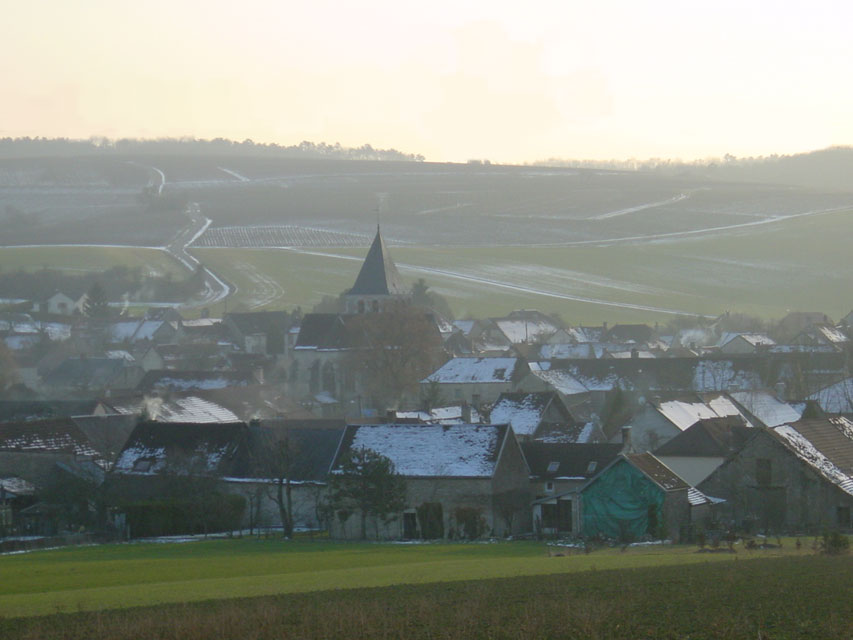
[766, 270]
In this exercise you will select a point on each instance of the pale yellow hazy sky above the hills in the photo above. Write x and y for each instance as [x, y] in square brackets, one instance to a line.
[512, 82]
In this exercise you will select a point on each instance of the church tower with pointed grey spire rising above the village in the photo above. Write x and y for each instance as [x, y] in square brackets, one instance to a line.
[378, 286]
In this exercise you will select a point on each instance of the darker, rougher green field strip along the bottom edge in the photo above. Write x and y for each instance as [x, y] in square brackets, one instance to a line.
[794, 597]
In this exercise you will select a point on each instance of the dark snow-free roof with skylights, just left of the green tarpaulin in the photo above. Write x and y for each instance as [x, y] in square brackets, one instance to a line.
[547, 460]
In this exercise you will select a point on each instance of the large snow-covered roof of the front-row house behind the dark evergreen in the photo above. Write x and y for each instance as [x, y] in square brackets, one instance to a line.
[432, 450]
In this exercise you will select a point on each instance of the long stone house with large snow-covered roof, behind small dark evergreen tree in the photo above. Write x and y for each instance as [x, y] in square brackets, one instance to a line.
[461, 480]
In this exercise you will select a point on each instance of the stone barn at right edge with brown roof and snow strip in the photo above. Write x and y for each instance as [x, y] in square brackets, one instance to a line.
[791, 478]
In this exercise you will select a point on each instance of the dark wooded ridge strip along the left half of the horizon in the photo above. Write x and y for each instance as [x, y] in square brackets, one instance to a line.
[59, 147]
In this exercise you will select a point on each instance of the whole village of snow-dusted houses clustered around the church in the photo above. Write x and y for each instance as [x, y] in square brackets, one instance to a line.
[115, 427]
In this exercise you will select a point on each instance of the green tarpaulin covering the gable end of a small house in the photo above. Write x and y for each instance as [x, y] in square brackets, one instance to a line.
[622, 504]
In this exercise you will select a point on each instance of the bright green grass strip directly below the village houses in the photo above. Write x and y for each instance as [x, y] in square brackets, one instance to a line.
[117, 576]
